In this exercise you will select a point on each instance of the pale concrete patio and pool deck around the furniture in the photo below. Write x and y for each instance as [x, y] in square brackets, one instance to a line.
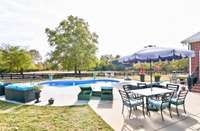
[110, 111]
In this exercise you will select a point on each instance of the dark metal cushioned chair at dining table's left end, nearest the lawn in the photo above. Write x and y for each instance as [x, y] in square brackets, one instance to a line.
[131, 101]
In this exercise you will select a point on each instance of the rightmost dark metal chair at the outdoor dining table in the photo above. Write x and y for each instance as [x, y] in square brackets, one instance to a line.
[179, 100]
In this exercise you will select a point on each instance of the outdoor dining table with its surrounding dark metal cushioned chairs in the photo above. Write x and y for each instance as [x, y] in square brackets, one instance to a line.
[153, 98]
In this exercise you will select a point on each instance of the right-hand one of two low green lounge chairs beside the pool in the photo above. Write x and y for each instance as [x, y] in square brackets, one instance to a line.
[106, 93]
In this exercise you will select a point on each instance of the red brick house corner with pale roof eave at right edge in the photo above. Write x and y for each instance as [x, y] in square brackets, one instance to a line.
[193, 43]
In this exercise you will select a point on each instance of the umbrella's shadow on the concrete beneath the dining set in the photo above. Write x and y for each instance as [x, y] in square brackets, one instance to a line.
[154, 122]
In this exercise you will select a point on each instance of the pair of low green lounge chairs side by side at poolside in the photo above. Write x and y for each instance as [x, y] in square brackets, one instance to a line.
[105, 92]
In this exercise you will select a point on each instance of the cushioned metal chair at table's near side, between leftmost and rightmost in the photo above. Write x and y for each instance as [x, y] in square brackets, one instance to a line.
[161, 104]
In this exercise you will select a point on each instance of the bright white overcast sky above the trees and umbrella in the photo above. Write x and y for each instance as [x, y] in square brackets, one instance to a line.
[123, 26]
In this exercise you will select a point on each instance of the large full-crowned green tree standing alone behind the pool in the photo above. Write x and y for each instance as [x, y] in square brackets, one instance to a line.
[74, 45]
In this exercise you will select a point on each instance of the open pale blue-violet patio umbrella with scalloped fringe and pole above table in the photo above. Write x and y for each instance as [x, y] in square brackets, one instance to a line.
[153, 54]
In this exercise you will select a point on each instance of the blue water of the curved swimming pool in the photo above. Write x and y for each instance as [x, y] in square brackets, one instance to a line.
[67, 83]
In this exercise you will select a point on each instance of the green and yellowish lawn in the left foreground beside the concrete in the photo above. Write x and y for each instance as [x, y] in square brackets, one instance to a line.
[43, 118]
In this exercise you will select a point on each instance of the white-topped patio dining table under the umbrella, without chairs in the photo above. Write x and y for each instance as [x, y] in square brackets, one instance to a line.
[148, 92]
